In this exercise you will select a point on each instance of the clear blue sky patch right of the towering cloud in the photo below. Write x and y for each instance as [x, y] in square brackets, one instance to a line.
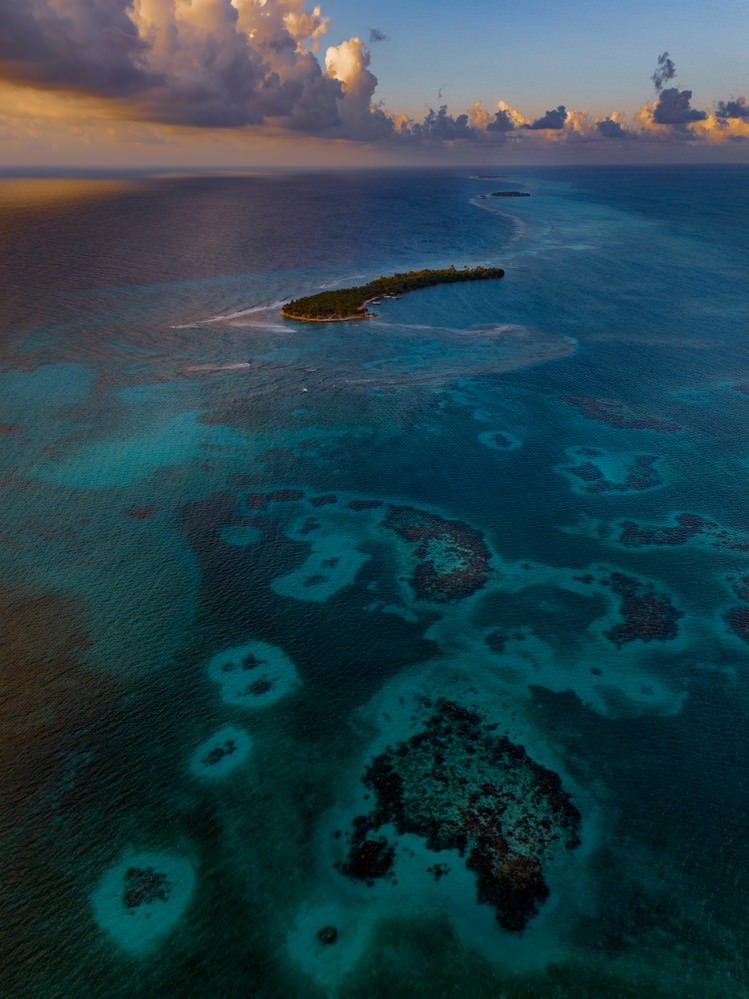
[538, 54]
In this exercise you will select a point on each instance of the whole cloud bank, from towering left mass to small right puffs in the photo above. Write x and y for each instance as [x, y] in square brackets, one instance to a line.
[249, 64]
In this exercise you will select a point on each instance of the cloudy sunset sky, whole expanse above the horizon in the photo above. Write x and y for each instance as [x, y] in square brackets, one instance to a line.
[245, 83]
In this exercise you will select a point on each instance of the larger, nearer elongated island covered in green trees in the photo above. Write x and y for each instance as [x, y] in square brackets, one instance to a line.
[350, 303]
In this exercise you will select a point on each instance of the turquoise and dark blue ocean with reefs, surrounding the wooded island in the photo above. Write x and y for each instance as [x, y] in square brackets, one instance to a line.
[388, 658]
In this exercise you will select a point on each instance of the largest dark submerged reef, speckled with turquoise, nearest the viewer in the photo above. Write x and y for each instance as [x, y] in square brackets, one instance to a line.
[462, 787]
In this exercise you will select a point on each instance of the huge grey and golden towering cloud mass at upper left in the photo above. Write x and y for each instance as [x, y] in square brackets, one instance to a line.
[212, 63]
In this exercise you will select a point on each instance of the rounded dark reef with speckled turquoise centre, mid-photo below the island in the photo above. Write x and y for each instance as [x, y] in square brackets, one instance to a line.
[452, 559]
